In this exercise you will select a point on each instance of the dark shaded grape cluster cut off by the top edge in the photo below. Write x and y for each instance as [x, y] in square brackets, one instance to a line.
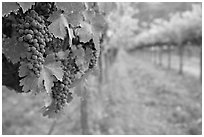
[45, 8]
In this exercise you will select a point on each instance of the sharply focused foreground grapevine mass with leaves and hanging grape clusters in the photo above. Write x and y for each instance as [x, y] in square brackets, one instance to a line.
[51, 50]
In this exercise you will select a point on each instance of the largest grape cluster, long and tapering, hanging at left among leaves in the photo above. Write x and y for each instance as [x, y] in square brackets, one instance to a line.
[33, 32]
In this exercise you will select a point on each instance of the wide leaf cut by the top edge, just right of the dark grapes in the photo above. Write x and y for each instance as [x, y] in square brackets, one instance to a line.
[70, 7]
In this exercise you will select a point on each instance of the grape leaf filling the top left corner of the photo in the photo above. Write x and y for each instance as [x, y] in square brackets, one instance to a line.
[8, 7]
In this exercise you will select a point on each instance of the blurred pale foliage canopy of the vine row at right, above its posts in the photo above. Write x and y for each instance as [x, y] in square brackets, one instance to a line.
[181, 28]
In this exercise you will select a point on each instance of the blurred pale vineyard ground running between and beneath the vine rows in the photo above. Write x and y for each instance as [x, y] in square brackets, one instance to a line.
[138, 97]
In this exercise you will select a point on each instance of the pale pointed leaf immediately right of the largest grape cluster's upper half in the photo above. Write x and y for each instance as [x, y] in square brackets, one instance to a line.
[58, 26]
